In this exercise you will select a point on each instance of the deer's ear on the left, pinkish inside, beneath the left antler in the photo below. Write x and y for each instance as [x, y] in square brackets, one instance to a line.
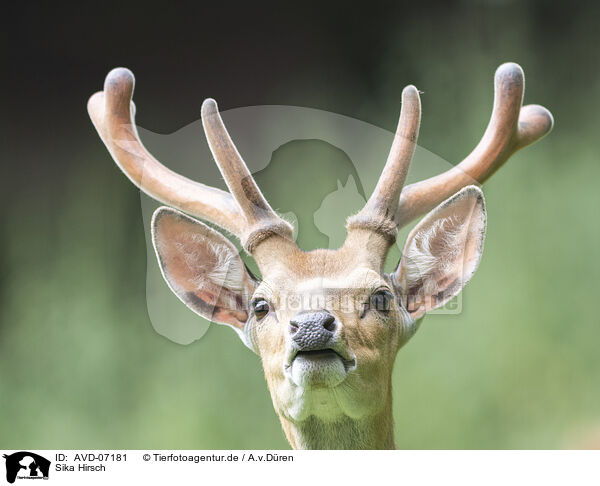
[202, 268]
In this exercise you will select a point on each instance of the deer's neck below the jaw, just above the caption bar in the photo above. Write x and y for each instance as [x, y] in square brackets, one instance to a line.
[372, 432]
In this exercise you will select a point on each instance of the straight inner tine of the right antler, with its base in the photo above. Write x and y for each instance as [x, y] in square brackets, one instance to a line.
[379, 212]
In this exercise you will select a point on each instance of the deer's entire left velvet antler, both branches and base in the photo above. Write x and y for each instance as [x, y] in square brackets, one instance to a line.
[247, 214]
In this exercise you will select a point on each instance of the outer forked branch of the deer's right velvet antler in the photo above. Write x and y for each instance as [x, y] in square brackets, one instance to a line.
[511, 128]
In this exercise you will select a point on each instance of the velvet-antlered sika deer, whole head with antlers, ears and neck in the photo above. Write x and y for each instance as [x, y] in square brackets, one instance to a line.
[327, 324]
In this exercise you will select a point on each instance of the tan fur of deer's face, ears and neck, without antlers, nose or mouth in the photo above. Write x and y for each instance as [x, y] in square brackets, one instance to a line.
[355, 413]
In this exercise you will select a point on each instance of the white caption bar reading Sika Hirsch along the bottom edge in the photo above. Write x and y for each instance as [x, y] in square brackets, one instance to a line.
[290, 467]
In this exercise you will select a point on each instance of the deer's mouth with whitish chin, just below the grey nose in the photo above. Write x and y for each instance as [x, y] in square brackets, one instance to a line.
[318, 368]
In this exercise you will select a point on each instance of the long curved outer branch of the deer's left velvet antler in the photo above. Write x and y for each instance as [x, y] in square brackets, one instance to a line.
[112, 113]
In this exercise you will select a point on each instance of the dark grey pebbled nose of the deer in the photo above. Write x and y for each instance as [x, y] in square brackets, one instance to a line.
[312, 330]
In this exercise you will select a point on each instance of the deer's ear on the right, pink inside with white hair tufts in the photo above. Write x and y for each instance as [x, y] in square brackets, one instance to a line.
[442, 252]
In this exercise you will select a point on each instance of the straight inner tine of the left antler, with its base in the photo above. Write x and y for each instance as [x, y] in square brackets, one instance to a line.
[260, 217]
